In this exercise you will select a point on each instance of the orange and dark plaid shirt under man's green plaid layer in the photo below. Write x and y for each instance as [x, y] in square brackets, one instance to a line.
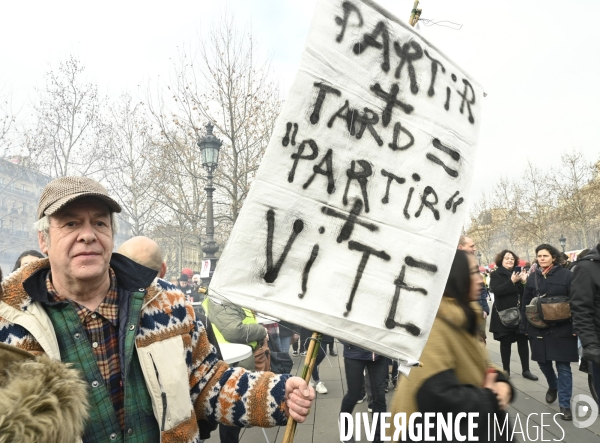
[102, 330]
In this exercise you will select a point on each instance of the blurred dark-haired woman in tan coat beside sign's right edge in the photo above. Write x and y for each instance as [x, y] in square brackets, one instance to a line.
[456, 375]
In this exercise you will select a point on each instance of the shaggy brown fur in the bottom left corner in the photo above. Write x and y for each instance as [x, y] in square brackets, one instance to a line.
[41, 400]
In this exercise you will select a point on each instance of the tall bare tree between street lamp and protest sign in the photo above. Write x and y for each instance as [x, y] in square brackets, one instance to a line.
[244, 103]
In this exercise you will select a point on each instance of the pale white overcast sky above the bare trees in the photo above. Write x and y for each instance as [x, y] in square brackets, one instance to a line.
[537, 60]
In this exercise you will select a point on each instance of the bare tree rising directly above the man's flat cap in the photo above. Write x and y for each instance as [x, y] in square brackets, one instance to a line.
[70, 133]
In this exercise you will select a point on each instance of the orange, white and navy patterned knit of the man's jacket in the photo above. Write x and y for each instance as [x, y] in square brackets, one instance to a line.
[232, 396]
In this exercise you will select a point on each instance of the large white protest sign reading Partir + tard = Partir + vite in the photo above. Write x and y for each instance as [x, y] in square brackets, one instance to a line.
[354, 216]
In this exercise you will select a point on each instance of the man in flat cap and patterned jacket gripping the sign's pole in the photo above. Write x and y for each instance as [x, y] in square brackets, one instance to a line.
[151, 373]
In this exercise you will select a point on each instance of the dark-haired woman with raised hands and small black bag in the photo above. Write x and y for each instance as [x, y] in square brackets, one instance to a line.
[507, 286]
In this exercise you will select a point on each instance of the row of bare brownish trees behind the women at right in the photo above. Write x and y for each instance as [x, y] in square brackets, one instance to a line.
[540, 207]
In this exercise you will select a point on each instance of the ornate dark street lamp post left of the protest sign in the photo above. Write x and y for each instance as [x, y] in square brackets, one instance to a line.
[209, 148]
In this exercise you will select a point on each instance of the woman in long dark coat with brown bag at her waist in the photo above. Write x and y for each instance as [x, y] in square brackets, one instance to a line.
[556, 343]
